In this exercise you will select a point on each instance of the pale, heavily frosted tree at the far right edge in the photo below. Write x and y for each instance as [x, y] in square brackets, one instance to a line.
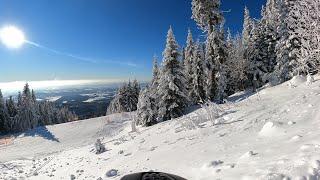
[307, 29]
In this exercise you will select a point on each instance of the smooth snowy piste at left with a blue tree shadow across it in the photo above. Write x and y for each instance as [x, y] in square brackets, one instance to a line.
[51, 139]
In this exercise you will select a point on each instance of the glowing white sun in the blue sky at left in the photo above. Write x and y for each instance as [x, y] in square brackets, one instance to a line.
[12, 37]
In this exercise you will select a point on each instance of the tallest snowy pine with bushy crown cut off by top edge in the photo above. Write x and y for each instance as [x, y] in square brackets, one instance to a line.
[209, 18]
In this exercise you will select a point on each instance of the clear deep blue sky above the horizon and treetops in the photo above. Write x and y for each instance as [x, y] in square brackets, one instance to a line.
[121, 36]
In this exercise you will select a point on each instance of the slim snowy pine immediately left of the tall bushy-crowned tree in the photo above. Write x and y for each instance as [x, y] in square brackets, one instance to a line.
[197, 92]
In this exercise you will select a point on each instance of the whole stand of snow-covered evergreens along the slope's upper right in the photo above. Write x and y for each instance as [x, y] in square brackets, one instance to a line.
[273, 49]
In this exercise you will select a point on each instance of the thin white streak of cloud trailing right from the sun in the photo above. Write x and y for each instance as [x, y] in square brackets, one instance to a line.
[84, 59]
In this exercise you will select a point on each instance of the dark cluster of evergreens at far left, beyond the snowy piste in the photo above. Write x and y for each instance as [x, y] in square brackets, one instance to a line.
[25, 112]
